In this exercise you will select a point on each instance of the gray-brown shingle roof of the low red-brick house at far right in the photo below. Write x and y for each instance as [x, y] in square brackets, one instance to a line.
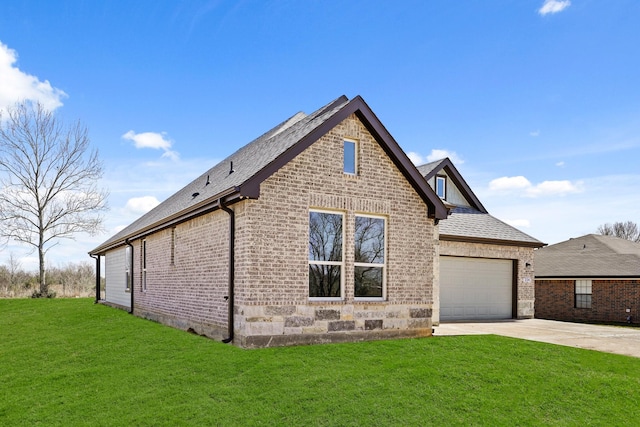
[592, 255]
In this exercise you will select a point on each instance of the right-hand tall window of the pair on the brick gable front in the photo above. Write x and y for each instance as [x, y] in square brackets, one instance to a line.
[369, 255]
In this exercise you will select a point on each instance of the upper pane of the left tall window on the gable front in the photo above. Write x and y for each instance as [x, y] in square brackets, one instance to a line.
[325, 236]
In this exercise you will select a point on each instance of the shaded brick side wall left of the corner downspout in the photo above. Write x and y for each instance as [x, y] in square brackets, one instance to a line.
[188, 293]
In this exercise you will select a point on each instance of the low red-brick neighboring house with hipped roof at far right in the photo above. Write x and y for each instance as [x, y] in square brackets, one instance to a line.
[592, 278]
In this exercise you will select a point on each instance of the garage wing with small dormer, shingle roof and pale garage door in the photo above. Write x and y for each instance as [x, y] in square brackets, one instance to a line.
[486, 266]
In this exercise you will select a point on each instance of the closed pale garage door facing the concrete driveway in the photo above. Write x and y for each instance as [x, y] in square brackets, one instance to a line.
[475, 288]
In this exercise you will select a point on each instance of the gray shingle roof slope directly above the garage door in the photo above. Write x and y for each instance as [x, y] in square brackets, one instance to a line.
[471, 224]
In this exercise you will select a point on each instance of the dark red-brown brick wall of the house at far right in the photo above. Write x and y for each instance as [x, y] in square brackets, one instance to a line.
[555, 299]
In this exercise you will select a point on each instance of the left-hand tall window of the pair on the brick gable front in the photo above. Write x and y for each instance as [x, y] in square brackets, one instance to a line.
[325, 255]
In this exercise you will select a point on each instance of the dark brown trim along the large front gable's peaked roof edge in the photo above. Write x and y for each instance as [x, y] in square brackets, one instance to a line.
[251, 187]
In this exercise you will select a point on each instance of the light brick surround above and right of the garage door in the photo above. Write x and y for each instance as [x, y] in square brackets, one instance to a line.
[523, 256]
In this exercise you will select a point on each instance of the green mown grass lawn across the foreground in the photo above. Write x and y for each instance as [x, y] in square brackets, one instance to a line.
[71, 362]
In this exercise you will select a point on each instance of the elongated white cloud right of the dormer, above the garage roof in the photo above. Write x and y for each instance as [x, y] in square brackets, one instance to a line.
[525, 188]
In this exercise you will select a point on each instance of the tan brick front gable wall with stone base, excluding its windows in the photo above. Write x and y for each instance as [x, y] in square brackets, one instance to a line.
[272, 282]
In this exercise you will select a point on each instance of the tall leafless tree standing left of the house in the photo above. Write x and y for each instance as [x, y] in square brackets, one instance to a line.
[48, 178]
